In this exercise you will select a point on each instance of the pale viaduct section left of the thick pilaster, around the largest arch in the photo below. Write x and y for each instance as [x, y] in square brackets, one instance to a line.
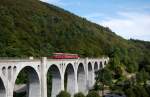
[10, 69]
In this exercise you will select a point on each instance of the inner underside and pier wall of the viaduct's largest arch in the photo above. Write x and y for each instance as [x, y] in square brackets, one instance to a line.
[33, 84]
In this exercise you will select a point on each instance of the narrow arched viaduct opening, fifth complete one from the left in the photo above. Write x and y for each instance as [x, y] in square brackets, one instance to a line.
[90, 76]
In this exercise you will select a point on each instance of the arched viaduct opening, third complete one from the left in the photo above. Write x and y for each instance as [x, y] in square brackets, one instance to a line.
[70, 79]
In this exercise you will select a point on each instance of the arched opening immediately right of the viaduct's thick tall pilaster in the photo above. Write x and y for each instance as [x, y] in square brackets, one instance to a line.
[53, 81]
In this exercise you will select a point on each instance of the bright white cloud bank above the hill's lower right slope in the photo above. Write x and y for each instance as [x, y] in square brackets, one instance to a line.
[131, 25]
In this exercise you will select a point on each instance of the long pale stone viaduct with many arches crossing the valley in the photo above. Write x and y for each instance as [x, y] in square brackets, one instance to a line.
[80, 75]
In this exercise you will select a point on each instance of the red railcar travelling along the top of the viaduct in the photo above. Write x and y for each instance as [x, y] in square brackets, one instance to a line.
[65, 56]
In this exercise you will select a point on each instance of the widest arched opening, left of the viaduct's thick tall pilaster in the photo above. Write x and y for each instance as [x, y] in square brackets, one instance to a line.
[27, 83]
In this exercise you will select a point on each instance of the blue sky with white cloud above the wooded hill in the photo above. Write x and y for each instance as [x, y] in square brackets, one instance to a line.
[127, 18]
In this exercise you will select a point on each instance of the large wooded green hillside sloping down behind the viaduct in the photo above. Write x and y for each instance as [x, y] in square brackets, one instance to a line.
[35, 28]
